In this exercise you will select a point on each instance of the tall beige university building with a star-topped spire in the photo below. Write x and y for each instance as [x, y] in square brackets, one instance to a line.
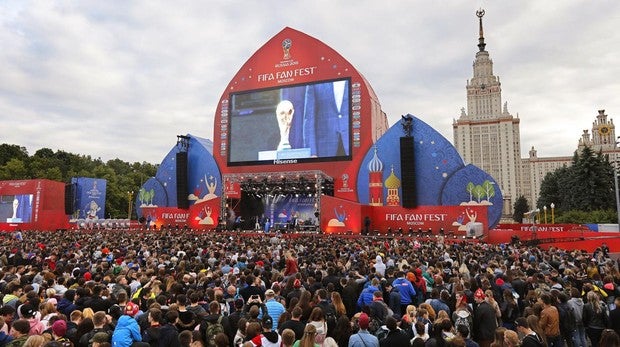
[487, 135]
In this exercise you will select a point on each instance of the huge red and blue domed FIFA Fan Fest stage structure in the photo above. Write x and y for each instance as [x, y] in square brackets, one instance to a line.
[299, 136]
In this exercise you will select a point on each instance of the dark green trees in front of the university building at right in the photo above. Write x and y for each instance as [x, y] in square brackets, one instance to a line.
[581, 193]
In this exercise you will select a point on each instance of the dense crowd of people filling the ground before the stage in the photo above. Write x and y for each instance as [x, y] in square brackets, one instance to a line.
[182, 288]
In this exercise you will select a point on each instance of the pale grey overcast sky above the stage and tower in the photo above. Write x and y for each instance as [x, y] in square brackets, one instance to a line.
[120, 79]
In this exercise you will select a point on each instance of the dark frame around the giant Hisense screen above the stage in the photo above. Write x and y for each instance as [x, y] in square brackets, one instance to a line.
[229, 139]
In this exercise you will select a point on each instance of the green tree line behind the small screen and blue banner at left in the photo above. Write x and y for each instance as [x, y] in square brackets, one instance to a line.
[122, 177]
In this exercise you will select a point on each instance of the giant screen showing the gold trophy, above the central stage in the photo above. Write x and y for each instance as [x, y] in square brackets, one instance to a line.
[292, 124]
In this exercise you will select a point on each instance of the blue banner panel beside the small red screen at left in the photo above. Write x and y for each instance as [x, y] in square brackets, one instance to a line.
[90, 197]
